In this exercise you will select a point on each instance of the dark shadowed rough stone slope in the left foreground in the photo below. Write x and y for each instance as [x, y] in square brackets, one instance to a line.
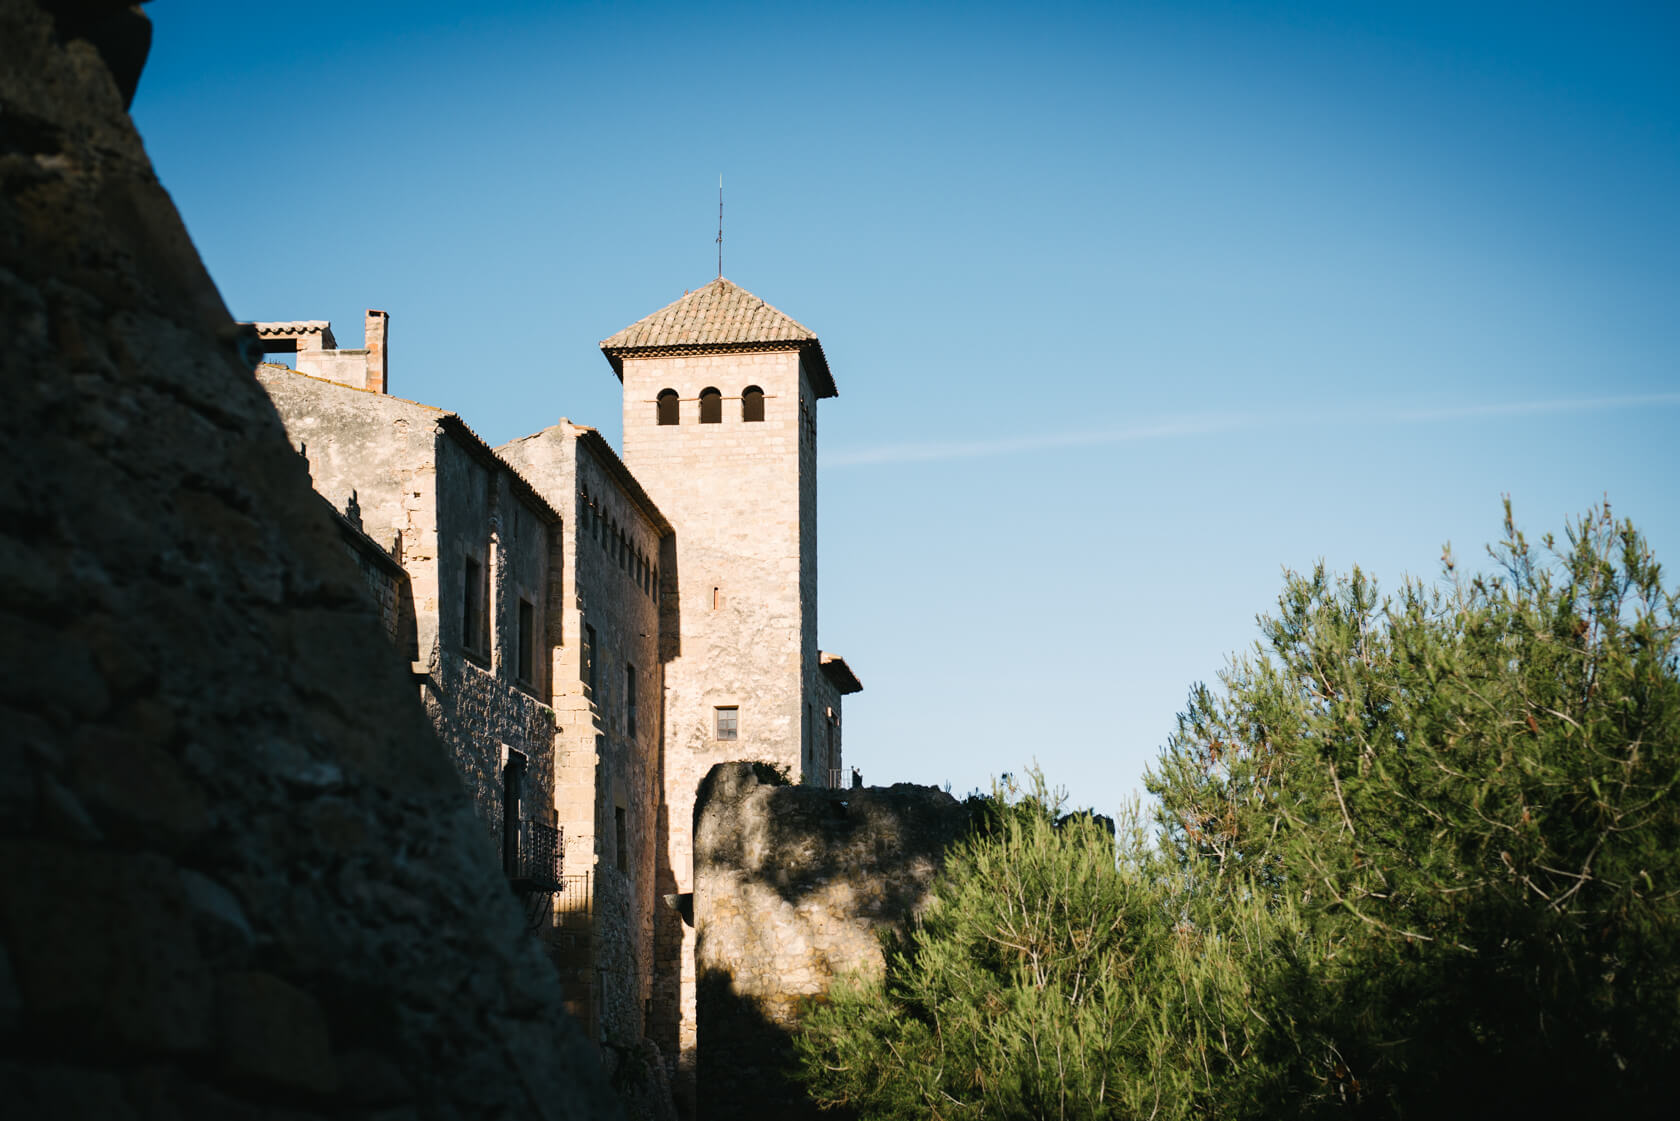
[238, 873]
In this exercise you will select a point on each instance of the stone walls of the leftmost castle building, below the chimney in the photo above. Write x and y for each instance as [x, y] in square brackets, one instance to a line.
[419, 476]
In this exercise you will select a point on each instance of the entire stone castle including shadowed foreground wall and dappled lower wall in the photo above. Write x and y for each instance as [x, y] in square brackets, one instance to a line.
[303, 678]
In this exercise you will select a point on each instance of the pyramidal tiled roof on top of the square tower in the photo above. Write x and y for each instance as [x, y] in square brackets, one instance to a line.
[722, 317]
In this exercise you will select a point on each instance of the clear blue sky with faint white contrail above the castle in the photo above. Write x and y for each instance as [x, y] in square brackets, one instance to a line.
[1131, 307]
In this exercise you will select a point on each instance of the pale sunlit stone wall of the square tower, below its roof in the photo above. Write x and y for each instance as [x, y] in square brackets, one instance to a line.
[738, 596]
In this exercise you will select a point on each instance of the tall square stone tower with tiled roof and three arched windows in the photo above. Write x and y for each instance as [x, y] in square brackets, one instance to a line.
[720, 428]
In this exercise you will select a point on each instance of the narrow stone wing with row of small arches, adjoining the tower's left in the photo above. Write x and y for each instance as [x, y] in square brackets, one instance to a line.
[609, 769]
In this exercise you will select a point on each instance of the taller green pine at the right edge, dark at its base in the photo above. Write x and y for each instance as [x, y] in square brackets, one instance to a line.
[1469, 796]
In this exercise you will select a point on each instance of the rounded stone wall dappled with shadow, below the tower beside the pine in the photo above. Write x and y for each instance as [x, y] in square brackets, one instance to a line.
[792, 887]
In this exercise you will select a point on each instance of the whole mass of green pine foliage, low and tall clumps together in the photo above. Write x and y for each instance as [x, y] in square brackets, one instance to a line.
[1415, 856]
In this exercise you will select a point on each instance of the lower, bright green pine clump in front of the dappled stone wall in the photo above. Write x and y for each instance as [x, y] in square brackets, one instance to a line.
[1056, 974]
